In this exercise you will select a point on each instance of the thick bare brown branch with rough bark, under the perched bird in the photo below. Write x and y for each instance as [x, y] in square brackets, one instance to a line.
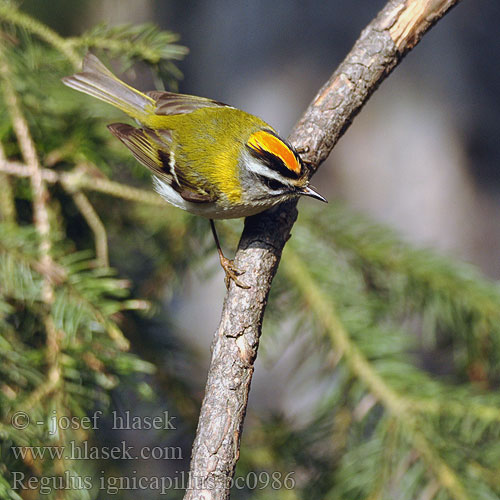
[381, 46]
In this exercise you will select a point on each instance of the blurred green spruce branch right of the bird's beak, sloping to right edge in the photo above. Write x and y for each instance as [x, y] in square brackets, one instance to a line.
[447, 293]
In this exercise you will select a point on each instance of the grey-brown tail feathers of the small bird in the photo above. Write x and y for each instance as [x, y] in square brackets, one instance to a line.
[97, 81]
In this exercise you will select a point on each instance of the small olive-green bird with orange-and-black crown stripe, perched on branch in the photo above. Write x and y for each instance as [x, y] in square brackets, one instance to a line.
[208, 158]
